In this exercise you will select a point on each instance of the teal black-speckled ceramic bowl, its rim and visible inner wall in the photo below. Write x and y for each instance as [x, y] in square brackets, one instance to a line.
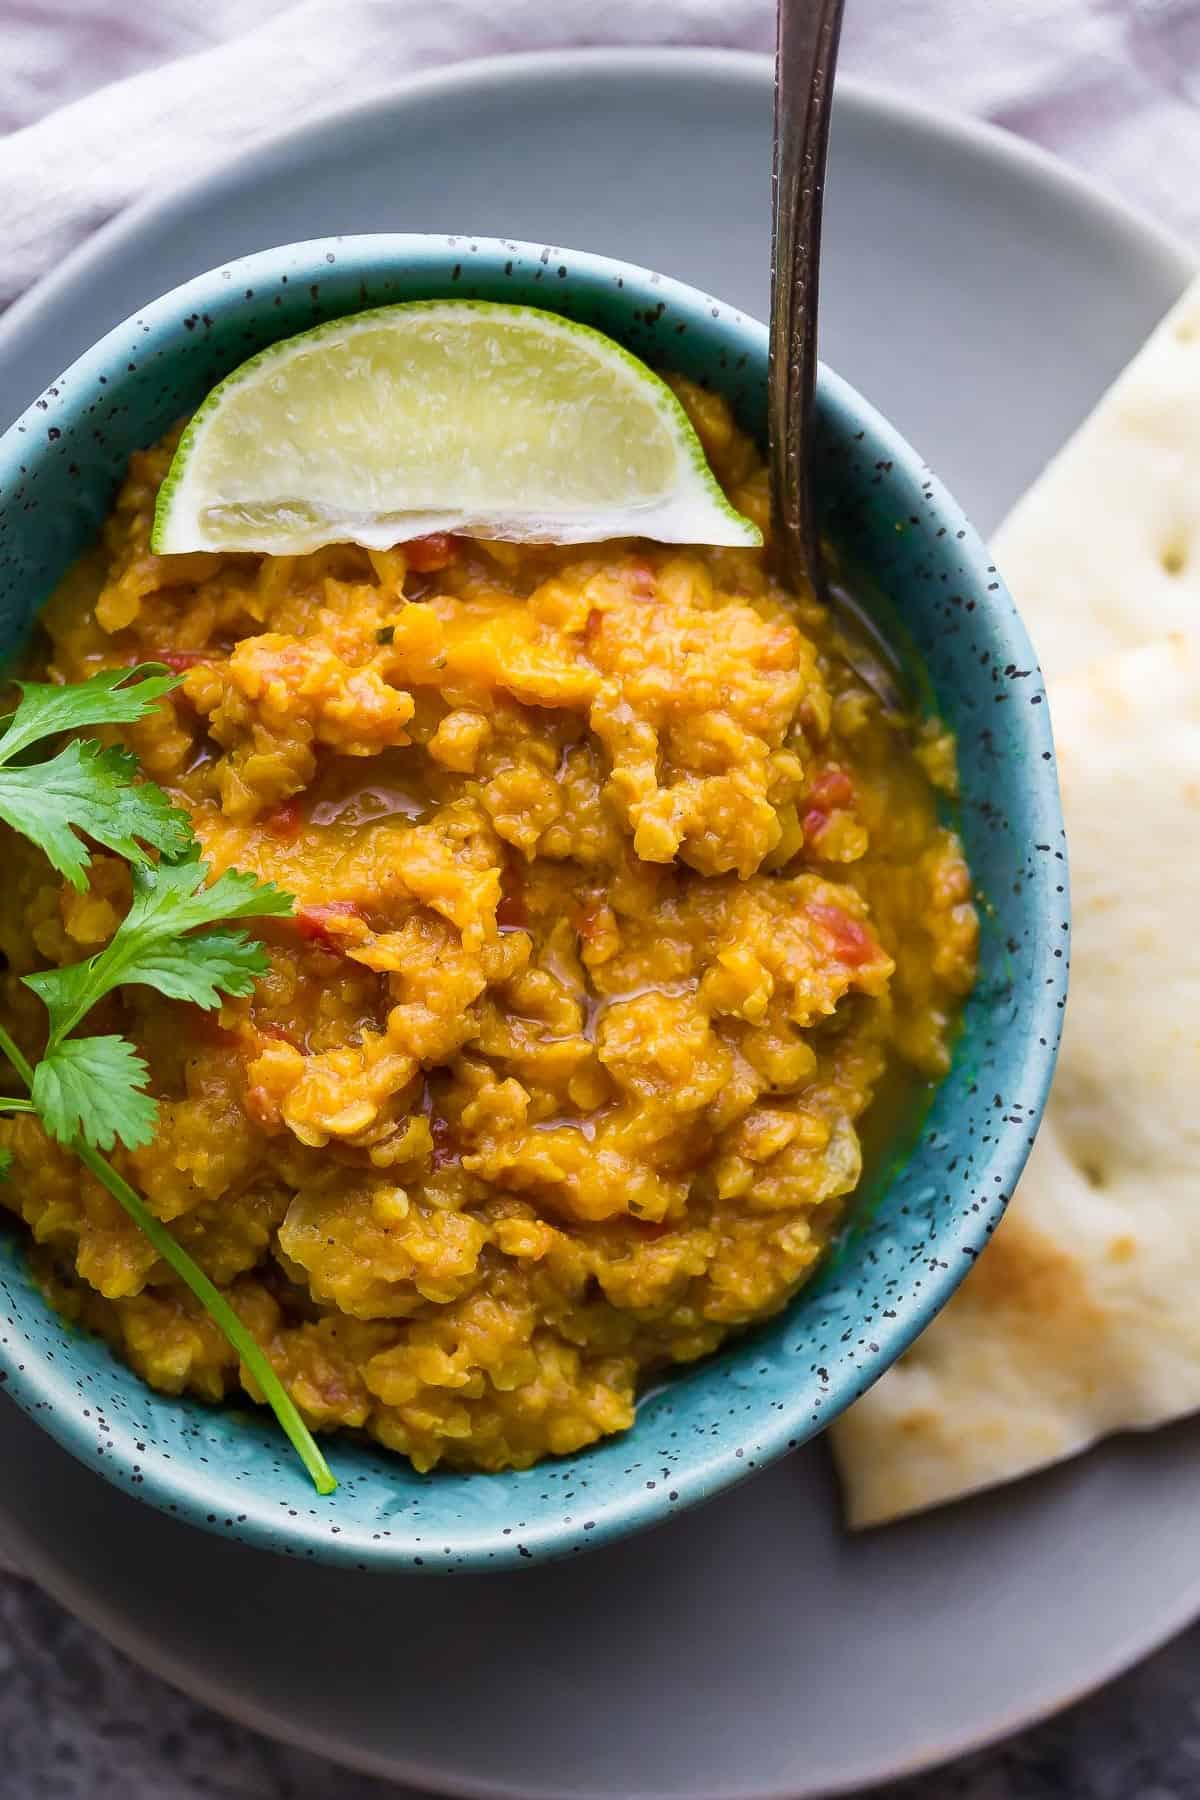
[713, 1425]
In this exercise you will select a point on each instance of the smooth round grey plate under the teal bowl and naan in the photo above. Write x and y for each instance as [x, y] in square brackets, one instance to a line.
[983, 298]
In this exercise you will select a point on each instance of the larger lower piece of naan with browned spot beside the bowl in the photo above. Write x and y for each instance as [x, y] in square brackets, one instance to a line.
[1084, 1315]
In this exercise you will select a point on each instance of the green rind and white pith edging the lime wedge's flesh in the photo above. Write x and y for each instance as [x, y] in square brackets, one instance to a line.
[690, 510]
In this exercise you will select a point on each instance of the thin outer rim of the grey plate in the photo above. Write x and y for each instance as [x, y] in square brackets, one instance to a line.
[751, 71]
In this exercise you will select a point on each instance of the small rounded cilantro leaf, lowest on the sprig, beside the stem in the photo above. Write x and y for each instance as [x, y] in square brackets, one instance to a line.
[93, 1088]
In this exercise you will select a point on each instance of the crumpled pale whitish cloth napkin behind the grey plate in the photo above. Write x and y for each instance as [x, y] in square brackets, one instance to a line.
[1111, 84]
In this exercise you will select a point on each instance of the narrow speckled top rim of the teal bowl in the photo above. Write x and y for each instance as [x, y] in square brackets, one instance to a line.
[42, 1387]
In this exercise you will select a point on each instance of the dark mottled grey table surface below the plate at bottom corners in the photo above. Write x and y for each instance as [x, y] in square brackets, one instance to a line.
[80, 1723]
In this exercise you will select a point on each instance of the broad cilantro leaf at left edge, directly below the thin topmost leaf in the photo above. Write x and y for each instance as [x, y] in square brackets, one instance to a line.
[87, 789]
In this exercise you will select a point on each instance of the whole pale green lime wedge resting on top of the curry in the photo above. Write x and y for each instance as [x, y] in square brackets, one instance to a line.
[497, 422]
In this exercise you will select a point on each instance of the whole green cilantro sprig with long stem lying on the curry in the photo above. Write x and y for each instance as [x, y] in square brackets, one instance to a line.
[177, 939]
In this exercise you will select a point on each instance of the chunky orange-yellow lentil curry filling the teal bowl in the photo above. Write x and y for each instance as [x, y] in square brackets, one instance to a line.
[618, 895]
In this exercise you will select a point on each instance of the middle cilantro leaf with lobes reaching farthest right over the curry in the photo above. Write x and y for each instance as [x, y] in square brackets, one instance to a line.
[152, 946]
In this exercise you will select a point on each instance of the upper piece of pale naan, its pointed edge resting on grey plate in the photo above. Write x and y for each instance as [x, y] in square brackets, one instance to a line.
[1104, 552]
